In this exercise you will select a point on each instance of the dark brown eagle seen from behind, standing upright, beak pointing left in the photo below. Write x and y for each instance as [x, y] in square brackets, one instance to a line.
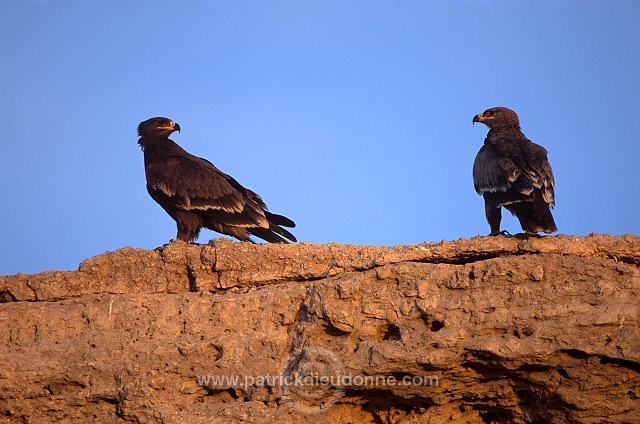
[512, 171]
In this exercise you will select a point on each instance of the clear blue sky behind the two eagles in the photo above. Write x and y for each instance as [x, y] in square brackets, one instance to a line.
[353, 118]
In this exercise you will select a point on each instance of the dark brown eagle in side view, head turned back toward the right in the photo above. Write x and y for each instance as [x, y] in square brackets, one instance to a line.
[198, 195]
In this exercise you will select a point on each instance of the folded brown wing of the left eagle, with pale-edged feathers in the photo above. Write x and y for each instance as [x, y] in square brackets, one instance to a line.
[190, 183]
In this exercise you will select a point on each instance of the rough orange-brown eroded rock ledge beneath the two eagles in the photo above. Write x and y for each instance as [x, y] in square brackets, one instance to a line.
[480, 330]
